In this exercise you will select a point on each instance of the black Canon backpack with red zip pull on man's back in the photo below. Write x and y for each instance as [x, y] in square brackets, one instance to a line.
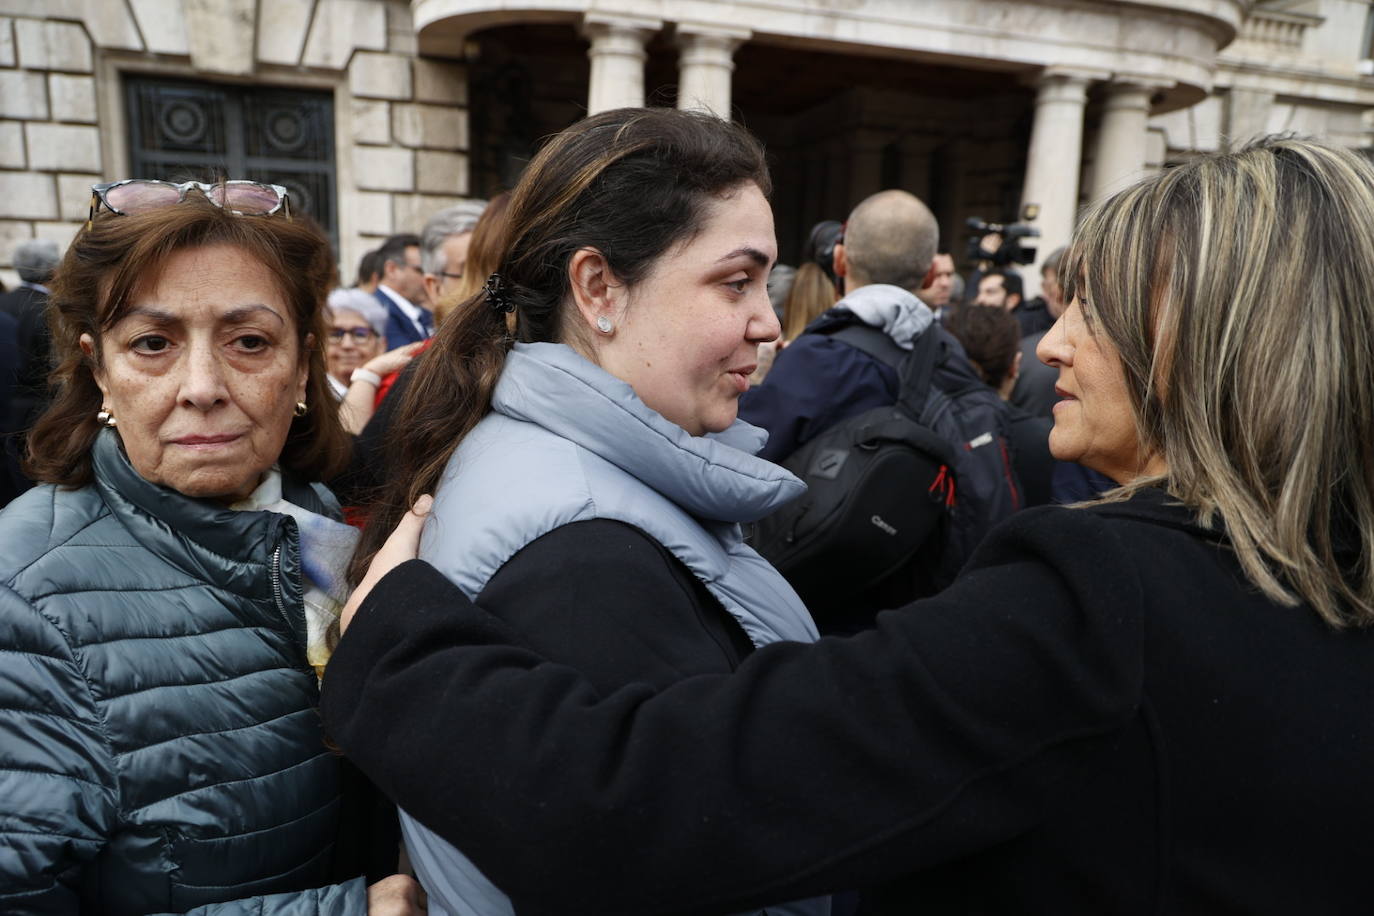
[877, 487]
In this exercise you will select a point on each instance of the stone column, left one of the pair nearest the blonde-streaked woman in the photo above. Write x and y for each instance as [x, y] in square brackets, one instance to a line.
[1055, 160]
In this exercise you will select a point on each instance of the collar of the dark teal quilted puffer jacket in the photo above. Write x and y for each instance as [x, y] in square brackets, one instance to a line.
[223, 547]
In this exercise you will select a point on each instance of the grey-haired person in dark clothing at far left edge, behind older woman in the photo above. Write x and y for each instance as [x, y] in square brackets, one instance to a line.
[36, 262]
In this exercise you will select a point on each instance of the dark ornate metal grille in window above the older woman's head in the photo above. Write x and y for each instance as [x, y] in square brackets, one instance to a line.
[200, 131]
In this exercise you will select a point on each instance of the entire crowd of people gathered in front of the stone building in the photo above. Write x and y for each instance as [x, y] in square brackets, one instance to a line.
[473, 587]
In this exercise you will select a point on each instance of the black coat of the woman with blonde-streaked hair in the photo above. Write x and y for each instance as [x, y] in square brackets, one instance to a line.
[1100, 716]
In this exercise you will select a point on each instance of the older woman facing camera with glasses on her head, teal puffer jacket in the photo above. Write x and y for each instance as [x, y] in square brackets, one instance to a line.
[170, 595]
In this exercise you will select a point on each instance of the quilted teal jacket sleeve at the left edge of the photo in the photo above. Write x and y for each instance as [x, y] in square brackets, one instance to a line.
[58, 797]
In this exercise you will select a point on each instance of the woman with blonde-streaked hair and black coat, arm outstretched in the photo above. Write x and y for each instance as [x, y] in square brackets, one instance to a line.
[1155, 704]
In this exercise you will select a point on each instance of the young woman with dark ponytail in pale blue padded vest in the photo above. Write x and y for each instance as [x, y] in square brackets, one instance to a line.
[576, 424]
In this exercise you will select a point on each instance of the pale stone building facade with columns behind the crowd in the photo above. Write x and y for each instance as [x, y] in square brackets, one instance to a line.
[380, 112]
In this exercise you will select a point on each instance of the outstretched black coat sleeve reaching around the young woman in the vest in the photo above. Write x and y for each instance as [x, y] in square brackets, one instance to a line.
[947, 729]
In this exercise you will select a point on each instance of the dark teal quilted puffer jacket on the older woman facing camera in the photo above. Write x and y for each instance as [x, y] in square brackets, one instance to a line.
[160, 746]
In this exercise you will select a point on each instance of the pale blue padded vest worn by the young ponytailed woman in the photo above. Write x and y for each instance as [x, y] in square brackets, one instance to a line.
[568, 443]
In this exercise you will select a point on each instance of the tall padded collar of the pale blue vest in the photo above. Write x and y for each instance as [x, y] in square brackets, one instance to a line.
[714, 477]
